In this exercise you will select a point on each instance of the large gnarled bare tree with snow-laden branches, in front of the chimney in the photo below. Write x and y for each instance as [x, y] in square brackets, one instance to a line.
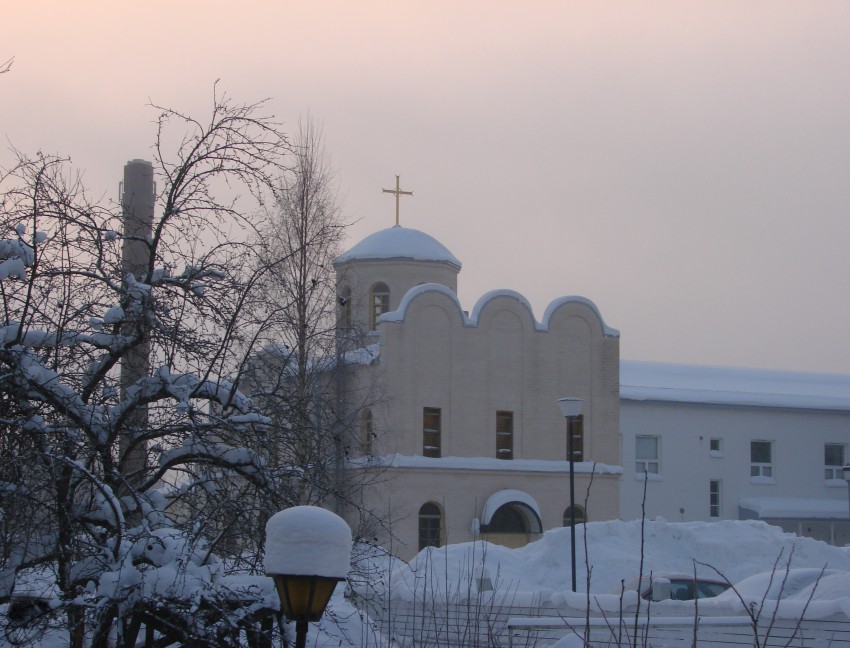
[108, 545]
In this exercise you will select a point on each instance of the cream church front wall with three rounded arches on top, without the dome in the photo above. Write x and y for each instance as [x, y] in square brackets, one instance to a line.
[502, 359]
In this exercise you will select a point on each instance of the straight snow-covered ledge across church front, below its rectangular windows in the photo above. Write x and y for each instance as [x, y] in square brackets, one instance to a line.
[481, 464]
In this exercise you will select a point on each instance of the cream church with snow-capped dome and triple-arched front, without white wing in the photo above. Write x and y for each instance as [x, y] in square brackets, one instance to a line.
[462, 437]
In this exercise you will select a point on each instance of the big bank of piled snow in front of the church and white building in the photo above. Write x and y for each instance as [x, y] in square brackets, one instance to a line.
[539, 573]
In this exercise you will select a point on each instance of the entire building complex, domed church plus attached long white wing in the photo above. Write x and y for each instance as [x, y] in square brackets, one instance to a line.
[464, 439]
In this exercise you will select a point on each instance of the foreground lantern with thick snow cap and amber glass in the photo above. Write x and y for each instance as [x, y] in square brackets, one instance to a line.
[308, 551]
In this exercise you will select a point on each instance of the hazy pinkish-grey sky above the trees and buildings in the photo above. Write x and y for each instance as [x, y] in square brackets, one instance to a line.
[682, 164]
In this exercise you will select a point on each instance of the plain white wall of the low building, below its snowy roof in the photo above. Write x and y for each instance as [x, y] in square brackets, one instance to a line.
[680, 492]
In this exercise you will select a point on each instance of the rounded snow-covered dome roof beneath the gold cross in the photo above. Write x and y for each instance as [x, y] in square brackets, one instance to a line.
[399, 242]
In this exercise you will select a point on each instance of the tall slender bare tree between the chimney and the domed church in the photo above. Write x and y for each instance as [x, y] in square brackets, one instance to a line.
[299, 376]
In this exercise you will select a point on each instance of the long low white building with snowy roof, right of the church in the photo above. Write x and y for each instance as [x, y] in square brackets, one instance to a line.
[715, 443]
